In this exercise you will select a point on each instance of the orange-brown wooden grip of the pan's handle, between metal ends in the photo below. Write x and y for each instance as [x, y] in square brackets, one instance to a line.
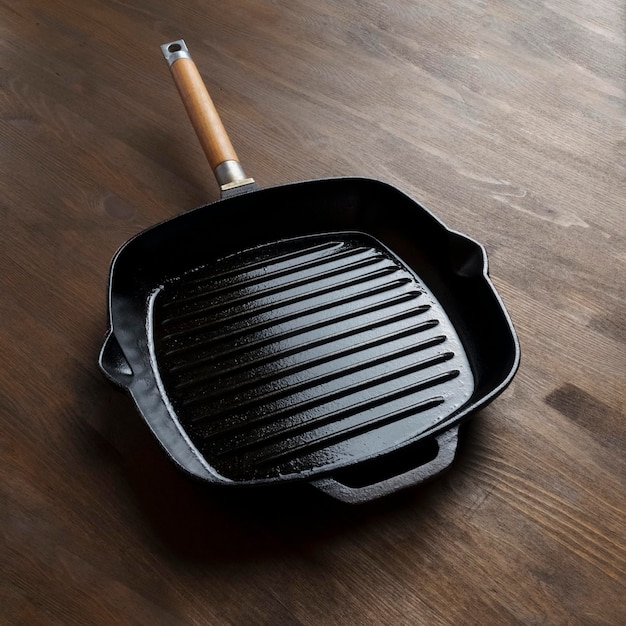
[202, 113]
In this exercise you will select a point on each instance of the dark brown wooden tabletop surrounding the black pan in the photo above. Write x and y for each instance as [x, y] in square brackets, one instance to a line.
[507, 119]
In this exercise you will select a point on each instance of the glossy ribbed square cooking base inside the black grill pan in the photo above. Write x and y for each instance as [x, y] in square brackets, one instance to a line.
[305, 355]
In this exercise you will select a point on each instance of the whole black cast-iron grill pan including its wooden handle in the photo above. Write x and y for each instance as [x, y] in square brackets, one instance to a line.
[332, 331]
